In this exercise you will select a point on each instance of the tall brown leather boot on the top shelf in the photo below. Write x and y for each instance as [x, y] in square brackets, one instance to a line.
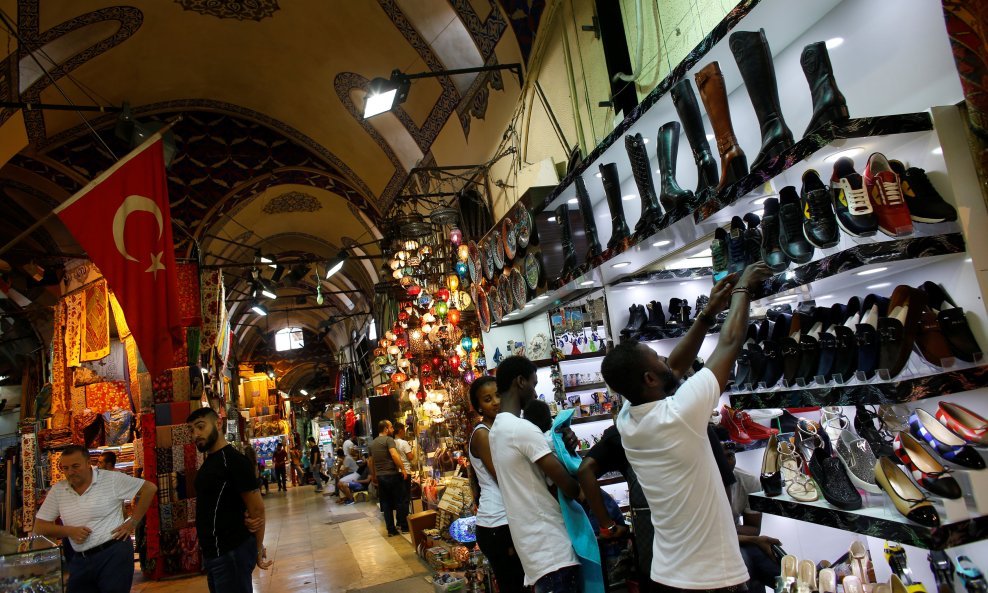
[733, 163]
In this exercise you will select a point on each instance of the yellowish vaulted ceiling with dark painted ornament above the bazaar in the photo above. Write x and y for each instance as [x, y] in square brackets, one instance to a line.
[272, 153]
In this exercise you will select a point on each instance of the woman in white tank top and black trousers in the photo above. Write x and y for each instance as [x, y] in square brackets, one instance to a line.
[493, 535]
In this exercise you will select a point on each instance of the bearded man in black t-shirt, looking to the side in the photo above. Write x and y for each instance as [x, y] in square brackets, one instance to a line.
[229, 509]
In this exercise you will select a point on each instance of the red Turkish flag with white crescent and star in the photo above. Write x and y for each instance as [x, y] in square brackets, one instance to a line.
[123, 221]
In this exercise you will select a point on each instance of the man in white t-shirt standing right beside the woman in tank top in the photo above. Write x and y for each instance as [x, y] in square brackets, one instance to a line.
[523, 461]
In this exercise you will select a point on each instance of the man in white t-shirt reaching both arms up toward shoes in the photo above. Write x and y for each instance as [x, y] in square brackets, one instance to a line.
[663, 430]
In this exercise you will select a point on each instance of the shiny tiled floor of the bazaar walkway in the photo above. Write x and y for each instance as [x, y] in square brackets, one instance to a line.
[319, 546]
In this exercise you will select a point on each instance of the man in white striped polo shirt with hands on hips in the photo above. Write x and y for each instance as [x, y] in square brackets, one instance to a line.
[89, 501]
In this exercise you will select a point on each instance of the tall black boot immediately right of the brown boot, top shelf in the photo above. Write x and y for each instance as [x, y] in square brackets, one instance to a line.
[754, 59]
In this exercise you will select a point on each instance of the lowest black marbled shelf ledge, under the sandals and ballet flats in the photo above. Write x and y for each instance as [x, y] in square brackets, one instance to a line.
[879, 521]
